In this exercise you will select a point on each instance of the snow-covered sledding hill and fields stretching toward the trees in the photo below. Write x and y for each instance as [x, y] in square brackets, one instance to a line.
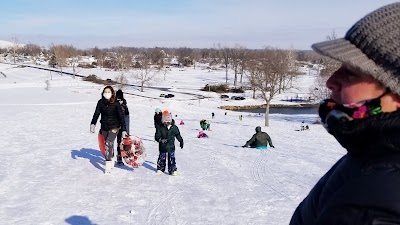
[52, 172]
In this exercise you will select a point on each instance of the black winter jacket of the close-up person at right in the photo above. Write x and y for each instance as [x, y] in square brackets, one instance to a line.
[363, 187]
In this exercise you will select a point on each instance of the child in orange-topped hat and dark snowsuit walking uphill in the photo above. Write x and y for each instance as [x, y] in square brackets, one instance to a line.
[166, 135]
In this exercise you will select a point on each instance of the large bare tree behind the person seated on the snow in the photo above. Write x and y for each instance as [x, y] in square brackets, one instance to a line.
[267, 75]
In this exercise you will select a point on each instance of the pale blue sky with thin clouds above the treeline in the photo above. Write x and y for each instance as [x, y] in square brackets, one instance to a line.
[175, 23]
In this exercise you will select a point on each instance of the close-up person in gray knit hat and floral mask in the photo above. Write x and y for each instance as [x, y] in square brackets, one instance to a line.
[363, 114]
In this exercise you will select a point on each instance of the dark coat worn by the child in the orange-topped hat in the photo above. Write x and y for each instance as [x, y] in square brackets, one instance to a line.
[170, 134]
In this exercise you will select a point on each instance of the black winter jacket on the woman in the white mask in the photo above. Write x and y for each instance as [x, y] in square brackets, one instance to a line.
[111, 115]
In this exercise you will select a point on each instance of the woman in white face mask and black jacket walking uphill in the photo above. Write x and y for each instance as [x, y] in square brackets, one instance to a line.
[112, 120]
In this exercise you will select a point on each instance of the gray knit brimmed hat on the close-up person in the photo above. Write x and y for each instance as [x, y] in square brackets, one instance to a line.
[371, 45]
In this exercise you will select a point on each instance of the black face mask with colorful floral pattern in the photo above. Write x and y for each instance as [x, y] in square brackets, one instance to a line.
[347, 112]
